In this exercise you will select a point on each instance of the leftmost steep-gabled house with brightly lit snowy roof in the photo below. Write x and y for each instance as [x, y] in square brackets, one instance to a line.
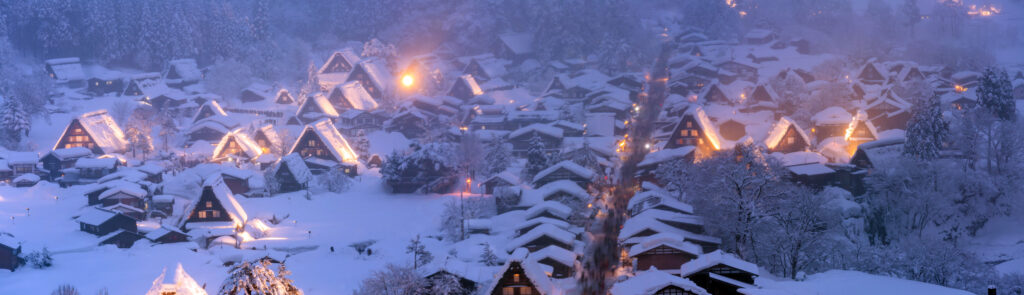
[96, 132]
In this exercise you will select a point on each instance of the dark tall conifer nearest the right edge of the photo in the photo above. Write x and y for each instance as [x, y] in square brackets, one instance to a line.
[997, 95]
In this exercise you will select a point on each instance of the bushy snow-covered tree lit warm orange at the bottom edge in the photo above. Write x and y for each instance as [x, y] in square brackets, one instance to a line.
[257, 277]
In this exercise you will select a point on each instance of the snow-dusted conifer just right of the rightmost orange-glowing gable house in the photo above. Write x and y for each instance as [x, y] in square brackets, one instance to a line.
[927, 131]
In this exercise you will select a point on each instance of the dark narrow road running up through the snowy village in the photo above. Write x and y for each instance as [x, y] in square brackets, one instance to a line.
[603, 256]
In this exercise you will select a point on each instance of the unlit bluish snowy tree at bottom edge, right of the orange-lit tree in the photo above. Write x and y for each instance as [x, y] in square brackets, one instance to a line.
[394, 280]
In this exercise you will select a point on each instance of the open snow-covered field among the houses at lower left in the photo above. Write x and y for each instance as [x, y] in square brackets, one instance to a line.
[327, 221]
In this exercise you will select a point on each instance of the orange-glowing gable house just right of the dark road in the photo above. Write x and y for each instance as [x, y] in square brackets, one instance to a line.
[696, 129]
